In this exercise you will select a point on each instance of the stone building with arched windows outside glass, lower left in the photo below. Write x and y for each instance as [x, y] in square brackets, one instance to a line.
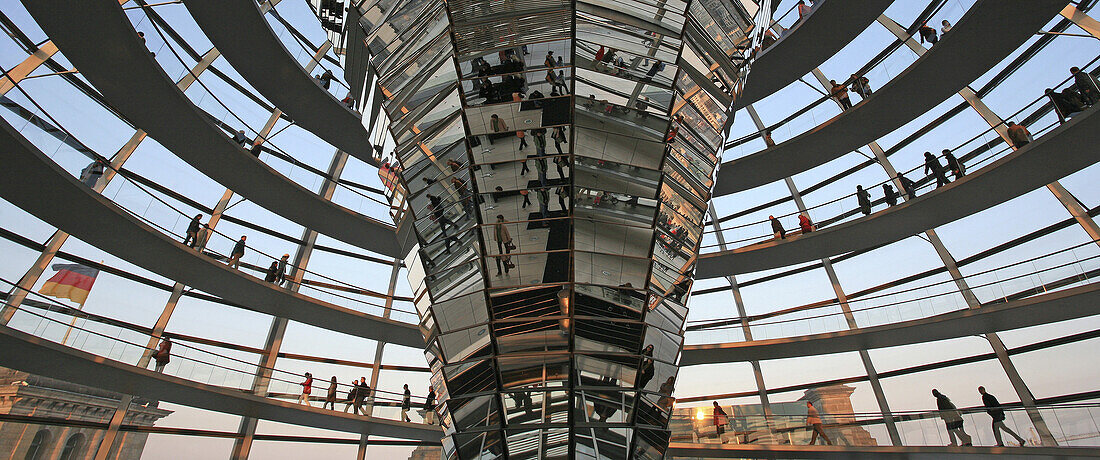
[32, 396]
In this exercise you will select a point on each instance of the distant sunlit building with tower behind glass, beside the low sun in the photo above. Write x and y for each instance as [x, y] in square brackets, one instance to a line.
[749, 424]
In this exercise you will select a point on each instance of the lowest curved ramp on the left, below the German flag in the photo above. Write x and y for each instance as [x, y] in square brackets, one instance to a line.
[41, 357]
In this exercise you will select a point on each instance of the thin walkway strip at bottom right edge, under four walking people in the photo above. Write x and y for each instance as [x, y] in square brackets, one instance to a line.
[876, 453]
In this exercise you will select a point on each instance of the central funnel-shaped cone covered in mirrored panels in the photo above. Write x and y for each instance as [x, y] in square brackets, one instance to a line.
[557, 159]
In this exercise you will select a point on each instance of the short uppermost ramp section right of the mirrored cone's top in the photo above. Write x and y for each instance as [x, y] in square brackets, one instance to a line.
[806, 47]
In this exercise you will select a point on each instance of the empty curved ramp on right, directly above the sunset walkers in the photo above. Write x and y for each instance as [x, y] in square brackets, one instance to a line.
[1049, 309]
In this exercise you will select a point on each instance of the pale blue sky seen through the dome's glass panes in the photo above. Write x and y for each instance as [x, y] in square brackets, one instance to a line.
[1049, 373]
